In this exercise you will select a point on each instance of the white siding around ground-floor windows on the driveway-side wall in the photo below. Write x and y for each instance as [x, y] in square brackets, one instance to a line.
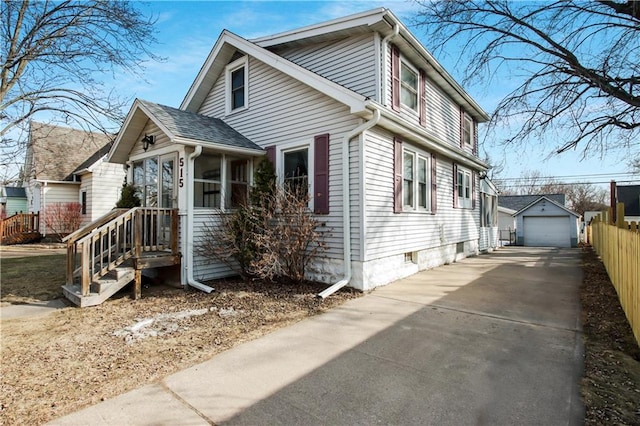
[393, 234]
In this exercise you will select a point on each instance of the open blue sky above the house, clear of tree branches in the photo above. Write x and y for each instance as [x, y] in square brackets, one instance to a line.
[187, 31]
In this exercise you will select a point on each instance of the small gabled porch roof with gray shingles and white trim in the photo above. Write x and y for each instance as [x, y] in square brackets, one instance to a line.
[181, 127]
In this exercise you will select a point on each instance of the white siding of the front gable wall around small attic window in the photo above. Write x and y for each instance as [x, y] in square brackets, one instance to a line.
[294, 116]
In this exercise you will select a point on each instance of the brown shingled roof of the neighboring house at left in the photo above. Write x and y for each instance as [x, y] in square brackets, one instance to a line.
[55, 152]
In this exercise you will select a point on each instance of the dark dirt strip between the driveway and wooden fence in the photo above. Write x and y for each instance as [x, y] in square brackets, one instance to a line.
[611, 383]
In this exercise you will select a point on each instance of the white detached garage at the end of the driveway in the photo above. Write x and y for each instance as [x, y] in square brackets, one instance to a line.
[545, 223]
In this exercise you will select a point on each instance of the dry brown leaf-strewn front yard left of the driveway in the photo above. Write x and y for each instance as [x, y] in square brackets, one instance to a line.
[60, 363]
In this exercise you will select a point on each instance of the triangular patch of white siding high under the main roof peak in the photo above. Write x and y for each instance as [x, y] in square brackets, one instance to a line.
[349, 62]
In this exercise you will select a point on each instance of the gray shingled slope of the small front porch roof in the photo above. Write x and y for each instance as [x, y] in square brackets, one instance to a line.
[199, 127]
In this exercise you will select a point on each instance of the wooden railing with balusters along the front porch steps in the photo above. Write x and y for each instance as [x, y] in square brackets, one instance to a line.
[102, 246]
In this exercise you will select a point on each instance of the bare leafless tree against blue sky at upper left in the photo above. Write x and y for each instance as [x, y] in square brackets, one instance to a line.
[54, 55]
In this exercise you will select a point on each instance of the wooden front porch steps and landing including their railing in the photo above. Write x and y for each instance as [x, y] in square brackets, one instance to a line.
[109, 253]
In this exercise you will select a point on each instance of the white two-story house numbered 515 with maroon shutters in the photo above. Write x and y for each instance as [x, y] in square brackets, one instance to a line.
[357, 110]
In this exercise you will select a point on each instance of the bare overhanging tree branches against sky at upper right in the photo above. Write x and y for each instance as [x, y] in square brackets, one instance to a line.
[576, 63]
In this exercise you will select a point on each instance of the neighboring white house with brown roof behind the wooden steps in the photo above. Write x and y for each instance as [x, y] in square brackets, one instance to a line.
[65, 165]
